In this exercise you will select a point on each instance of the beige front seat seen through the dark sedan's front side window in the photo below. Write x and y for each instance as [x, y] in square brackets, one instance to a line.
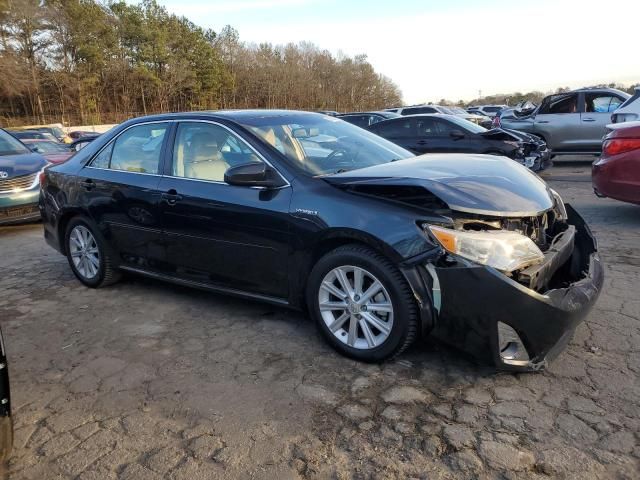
[203, 159]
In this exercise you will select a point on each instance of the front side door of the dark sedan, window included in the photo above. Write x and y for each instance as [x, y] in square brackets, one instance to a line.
[226, 236]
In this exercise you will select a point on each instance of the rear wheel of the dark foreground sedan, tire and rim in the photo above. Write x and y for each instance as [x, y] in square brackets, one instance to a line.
[95, 273]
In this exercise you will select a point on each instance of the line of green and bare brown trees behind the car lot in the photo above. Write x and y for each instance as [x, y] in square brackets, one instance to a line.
[84, 61]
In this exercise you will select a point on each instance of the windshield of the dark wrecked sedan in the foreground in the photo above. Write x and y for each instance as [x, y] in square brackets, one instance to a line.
[322, 145]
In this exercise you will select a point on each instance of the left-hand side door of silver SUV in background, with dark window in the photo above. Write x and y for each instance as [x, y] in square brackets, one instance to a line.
[558, 121]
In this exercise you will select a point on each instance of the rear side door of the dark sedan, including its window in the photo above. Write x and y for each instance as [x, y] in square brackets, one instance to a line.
[119, 187]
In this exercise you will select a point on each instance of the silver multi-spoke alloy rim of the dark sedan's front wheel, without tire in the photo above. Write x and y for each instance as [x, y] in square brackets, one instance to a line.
[356, 307]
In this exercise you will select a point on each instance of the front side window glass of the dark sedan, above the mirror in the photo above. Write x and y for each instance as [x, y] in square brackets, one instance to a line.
[205, 151]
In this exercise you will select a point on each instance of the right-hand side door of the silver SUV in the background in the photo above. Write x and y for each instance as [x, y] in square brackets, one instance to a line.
[596, 115]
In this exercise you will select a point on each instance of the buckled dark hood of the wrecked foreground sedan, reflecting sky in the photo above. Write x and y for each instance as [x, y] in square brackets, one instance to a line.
[480, 184]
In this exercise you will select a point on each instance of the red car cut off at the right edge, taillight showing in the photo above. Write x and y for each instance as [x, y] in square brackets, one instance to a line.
[616, 174]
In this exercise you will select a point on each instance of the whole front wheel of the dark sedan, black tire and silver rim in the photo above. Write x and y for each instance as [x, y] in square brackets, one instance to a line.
[389, 332]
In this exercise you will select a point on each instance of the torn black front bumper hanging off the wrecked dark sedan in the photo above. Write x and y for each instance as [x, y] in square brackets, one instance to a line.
[502, 321]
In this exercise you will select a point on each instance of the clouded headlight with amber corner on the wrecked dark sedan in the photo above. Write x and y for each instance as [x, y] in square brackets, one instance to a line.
[501, 249]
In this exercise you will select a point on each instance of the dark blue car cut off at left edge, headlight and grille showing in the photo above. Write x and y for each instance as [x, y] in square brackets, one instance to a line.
[19, 186]
